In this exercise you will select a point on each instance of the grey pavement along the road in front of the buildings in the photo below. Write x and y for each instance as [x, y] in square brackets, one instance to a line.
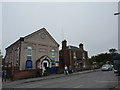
[43, 78]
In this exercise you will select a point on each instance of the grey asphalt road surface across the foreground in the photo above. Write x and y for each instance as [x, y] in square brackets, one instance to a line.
[99, 79]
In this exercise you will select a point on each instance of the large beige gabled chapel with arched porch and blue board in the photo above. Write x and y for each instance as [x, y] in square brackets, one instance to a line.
[38, 49]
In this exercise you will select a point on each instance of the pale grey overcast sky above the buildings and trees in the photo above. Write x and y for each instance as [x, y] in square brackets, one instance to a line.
[90, 23]
